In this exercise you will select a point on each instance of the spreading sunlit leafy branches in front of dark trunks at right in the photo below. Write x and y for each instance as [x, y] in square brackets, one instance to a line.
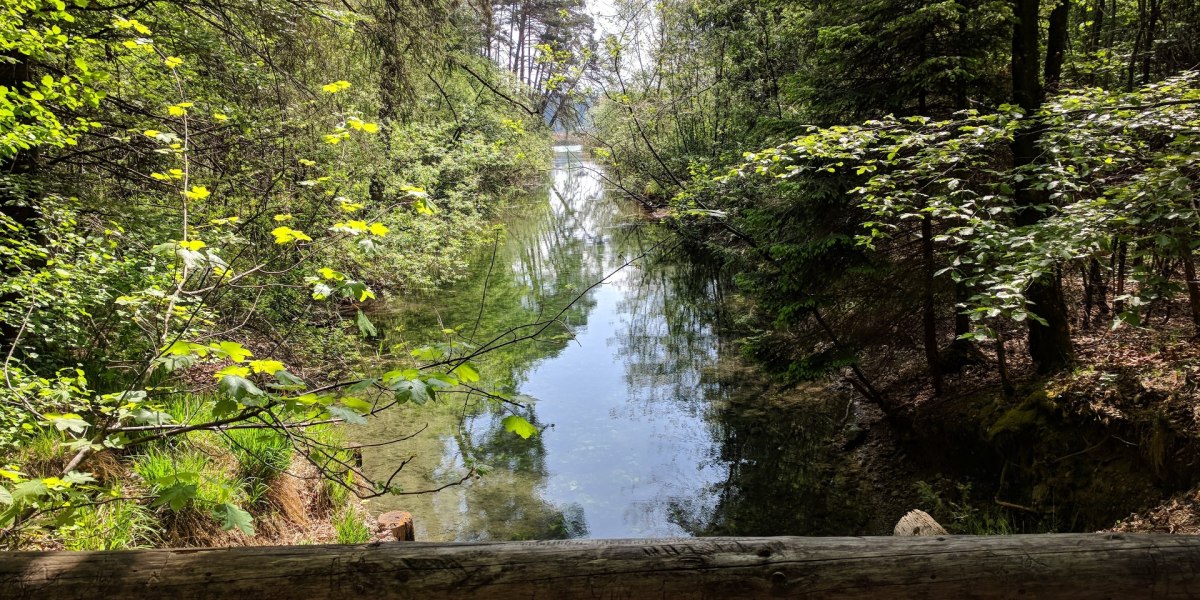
[1125, 147]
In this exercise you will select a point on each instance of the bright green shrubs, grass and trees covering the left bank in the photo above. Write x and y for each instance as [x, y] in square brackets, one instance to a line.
[201, 203]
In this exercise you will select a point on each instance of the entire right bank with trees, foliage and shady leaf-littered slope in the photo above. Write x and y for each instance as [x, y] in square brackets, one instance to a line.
[981, 218]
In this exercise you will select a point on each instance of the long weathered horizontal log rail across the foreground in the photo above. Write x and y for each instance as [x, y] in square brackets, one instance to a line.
[1047, 567]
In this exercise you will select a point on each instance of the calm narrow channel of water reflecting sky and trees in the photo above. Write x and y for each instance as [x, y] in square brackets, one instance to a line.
[650, 424]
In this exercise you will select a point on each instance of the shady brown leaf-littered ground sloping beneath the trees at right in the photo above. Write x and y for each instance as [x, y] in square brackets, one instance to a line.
[1113, 443]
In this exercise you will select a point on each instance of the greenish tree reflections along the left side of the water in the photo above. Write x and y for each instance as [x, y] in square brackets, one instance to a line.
[549, 255]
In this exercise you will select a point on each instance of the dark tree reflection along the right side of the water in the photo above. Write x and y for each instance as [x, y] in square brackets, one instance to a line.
[784, 473]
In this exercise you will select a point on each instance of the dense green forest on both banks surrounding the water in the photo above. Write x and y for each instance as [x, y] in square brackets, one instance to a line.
[977, 220]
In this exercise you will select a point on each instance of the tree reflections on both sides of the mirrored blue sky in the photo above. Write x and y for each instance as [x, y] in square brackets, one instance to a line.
[776, 470]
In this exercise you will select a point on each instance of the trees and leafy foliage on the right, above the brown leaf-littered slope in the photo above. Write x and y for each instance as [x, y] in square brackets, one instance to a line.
[915, 201]
